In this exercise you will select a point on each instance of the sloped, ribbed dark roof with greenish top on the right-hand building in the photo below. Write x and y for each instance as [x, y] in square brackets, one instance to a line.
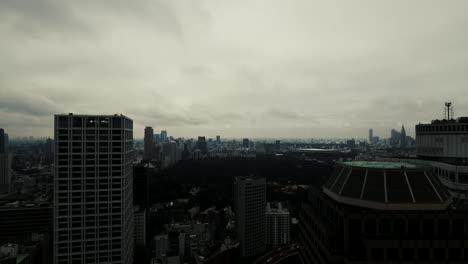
[387, 186]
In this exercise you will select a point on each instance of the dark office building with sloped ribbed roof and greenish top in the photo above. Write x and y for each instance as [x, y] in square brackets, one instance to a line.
[382, 212]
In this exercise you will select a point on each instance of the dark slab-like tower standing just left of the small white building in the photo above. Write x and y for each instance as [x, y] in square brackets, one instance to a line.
[251, 217]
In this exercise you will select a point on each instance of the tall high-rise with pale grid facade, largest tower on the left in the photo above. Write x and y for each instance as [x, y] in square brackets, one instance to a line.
[93, 185]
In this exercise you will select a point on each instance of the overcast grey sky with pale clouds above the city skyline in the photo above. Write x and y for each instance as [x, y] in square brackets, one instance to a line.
[272, 68]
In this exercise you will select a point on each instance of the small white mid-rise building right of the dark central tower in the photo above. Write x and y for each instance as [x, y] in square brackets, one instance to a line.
[278, 223]
